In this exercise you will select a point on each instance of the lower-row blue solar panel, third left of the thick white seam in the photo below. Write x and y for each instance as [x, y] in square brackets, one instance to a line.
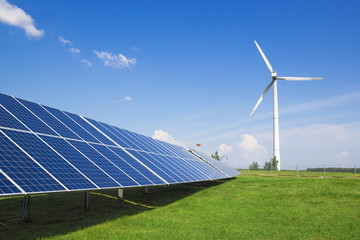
[84, 165]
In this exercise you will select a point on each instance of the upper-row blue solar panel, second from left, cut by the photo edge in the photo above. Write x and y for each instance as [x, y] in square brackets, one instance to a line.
[26, 117]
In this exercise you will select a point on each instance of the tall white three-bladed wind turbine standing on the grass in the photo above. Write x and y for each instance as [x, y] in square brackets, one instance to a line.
[274, 77]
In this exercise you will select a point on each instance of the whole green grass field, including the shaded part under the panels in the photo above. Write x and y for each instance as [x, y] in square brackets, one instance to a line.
[246, 207]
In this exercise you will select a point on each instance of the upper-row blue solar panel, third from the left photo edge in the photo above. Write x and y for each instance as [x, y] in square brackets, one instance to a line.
[50, 120]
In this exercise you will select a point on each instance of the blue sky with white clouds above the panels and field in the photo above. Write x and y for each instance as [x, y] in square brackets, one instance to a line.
[189, 72]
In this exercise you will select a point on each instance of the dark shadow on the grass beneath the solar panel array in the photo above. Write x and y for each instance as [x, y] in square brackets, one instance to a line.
[60, 213]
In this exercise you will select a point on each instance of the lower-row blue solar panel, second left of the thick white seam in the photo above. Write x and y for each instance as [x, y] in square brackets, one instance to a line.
[115, 172]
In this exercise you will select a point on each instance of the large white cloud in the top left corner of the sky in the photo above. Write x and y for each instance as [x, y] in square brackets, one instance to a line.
[12, 15]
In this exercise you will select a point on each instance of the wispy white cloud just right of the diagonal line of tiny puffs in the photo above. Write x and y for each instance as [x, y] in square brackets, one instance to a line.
[115, 61]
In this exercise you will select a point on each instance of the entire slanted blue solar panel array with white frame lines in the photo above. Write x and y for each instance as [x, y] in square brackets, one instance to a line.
[43, 149]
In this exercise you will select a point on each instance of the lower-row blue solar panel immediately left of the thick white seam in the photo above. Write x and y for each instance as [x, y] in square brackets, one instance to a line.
[130, 167]
